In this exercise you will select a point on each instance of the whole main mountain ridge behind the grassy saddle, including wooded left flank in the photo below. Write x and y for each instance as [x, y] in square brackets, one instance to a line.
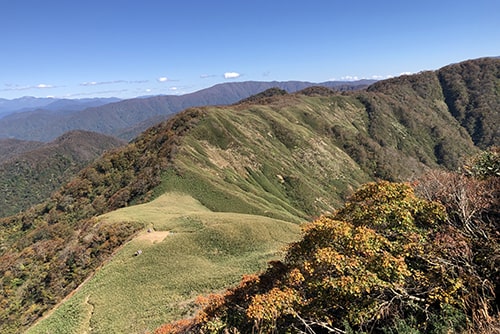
[285, 156]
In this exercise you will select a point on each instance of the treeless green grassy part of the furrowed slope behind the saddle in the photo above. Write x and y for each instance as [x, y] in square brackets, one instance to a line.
[268, 160]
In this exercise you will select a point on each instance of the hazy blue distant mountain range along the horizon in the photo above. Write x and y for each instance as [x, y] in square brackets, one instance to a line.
[46, 119]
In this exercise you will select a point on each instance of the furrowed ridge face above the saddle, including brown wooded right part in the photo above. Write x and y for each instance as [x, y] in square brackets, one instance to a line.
[304, 154]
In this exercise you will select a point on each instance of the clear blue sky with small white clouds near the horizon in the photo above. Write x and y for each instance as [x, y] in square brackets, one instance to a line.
[128, 48]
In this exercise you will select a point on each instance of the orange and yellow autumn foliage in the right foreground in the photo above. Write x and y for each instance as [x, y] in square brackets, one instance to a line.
[387, 262]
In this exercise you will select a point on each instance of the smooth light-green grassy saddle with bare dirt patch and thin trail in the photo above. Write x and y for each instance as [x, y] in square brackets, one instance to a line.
[205, 251]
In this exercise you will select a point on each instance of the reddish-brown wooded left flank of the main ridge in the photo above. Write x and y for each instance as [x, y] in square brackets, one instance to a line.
[58, 243]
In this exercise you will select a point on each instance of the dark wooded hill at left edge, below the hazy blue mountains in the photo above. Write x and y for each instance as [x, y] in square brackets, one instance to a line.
[30, 176]
